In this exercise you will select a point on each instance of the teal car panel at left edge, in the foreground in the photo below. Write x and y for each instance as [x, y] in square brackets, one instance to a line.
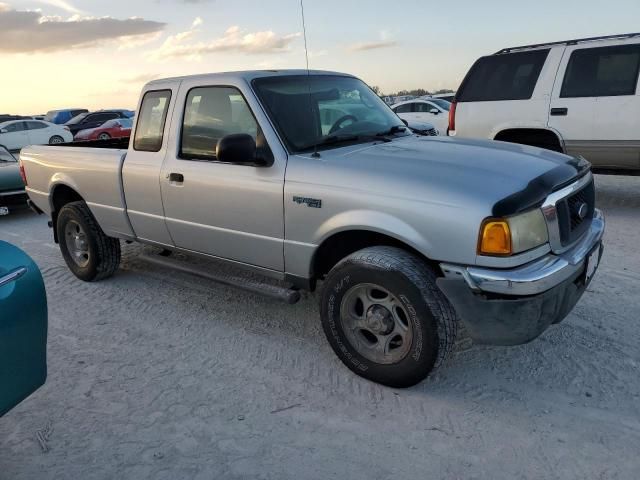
[23, 327]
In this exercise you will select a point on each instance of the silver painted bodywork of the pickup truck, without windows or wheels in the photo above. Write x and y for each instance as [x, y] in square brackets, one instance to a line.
[431, 193]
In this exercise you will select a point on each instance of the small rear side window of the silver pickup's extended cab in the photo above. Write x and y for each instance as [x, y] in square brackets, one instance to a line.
[151, 121]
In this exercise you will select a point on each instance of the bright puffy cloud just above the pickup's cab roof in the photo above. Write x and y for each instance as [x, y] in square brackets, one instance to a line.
[233, 40]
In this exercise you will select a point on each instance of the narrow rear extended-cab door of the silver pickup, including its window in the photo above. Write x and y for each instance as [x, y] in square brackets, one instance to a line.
[141, 170]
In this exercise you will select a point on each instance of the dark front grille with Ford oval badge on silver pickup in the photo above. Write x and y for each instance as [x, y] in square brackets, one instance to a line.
[571, 223]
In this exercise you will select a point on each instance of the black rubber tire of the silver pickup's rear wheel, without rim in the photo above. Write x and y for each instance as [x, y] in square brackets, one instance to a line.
[103, 251]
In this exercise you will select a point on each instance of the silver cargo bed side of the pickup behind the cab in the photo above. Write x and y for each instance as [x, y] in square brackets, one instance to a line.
[94, 172]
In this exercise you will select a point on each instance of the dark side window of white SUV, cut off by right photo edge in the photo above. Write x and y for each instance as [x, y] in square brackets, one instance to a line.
[602, 72]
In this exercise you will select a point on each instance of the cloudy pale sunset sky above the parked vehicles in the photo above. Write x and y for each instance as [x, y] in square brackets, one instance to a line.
[98, 54]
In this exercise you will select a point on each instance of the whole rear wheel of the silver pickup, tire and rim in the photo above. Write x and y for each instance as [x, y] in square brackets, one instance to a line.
[88, 252]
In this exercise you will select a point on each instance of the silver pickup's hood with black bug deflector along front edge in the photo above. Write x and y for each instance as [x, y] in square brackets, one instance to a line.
[511, 177]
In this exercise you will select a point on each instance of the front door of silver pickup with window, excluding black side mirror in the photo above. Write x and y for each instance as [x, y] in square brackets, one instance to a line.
[226, 210]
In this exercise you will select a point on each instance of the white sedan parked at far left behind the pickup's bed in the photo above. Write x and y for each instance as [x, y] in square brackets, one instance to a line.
[16, 134]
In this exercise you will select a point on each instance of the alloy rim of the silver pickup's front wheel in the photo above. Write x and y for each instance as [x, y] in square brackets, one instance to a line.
[376, 323]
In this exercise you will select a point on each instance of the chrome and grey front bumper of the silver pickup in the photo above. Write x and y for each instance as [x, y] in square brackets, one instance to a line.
[511, 307]
